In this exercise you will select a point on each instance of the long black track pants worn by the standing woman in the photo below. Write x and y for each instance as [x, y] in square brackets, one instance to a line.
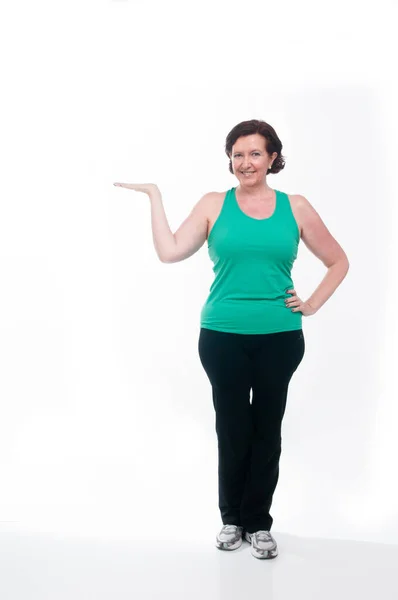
[249, 433]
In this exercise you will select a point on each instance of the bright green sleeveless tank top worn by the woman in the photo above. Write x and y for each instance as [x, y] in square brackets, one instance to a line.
[253, 259]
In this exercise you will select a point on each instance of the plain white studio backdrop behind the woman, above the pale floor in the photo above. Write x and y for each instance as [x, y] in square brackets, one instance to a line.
[107, 421]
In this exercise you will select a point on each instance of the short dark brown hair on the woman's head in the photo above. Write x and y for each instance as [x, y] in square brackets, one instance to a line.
[272, 142]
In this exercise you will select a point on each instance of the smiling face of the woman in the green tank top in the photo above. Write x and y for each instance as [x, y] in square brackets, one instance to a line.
[250, 160]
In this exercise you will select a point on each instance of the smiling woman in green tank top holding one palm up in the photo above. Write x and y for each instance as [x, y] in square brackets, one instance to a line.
[251, 337]
